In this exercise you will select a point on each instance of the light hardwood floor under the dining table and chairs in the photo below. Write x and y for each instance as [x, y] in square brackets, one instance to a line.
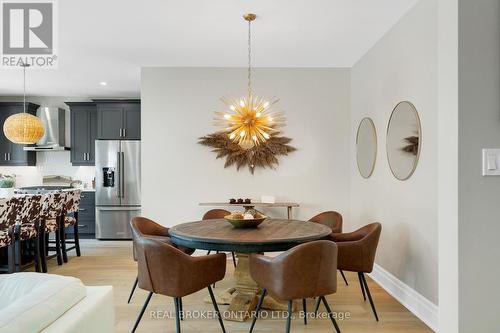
[111, 263]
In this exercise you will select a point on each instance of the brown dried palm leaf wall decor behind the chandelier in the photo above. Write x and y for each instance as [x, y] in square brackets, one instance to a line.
[264, 155]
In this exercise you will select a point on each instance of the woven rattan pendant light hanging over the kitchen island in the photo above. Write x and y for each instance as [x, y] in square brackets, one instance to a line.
[23, 128]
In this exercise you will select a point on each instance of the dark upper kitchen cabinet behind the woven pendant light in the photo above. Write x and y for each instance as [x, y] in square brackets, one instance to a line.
[13, 154]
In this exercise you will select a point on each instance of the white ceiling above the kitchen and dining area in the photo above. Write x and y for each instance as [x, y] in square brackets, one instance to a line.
[111, 40]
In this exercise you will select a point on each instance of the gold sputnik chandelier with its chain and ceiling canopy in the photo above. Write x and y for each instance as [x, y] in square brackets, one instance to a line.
[250, 120]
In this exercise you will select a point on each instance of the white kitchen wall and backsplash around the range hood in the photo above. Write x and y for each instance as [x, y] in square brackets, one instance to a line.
[49, 163]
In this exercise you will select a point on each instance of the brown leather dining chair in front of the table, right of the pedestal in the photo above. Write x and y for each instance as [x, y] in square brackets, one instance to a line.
[305, 271]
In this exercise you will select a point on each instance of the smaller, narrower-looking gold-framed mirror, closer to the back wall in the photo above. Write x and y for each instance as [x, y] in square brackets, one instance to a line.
[366, 147]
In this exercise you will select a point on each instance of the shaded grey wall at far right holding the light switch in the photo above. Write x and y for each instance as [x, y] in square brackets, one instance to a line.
[479, 127]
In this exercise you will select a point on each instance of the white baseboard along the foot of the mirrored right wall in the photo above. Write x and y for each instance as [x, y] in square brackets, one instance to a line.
[420, 306]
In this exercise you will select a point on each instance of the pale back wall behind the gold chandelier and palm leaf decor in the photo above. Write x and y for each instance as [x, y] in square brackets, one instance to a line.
[178, 106]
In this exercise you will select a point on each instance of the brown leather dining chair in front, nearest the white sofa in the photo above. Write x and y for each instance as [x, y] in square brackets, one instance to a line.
[166, 270]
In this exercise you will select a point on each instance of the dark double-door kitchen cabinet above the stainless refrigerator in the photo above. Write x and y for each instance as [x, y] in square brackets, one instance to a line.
[118, 119]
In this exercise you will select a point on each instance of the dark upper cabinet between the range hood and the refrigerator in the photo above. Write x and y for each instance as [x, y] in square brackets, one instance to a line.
[83, 132]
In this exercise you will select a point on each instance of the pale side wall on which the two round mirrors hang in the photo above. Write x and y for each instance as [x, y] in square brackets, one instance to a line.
[401, 66]
